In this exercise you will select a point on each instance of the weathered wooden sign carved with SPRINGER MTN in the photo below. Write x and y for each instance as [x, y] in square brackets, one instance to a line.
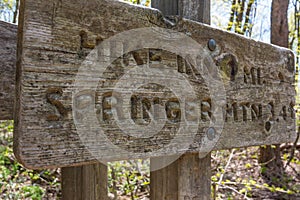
[85, 93]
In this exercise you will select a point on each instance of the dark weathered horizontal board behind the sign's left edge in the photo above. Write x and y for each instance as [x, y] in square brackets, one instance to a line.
[8, 46]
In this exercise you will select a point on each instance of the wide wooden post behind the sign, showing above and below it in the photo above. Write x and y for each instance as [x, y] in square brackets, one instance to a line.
[189, 176]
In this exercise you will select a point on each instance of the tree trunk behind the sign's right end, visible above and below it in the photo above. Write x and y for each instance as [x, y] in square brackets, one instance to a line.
[270, 155]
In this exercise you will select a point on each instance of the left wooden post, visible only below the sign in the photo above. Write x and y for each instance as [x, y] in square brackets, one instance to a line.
[87, 182]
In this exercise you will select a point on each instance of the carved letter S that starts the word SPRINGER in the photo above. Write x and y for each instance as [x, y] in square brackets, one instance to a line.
[53, 94]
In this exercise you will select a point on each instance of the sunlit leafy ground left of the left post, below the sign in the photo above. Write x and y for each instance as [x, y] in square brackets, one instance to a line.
[17, 182]
